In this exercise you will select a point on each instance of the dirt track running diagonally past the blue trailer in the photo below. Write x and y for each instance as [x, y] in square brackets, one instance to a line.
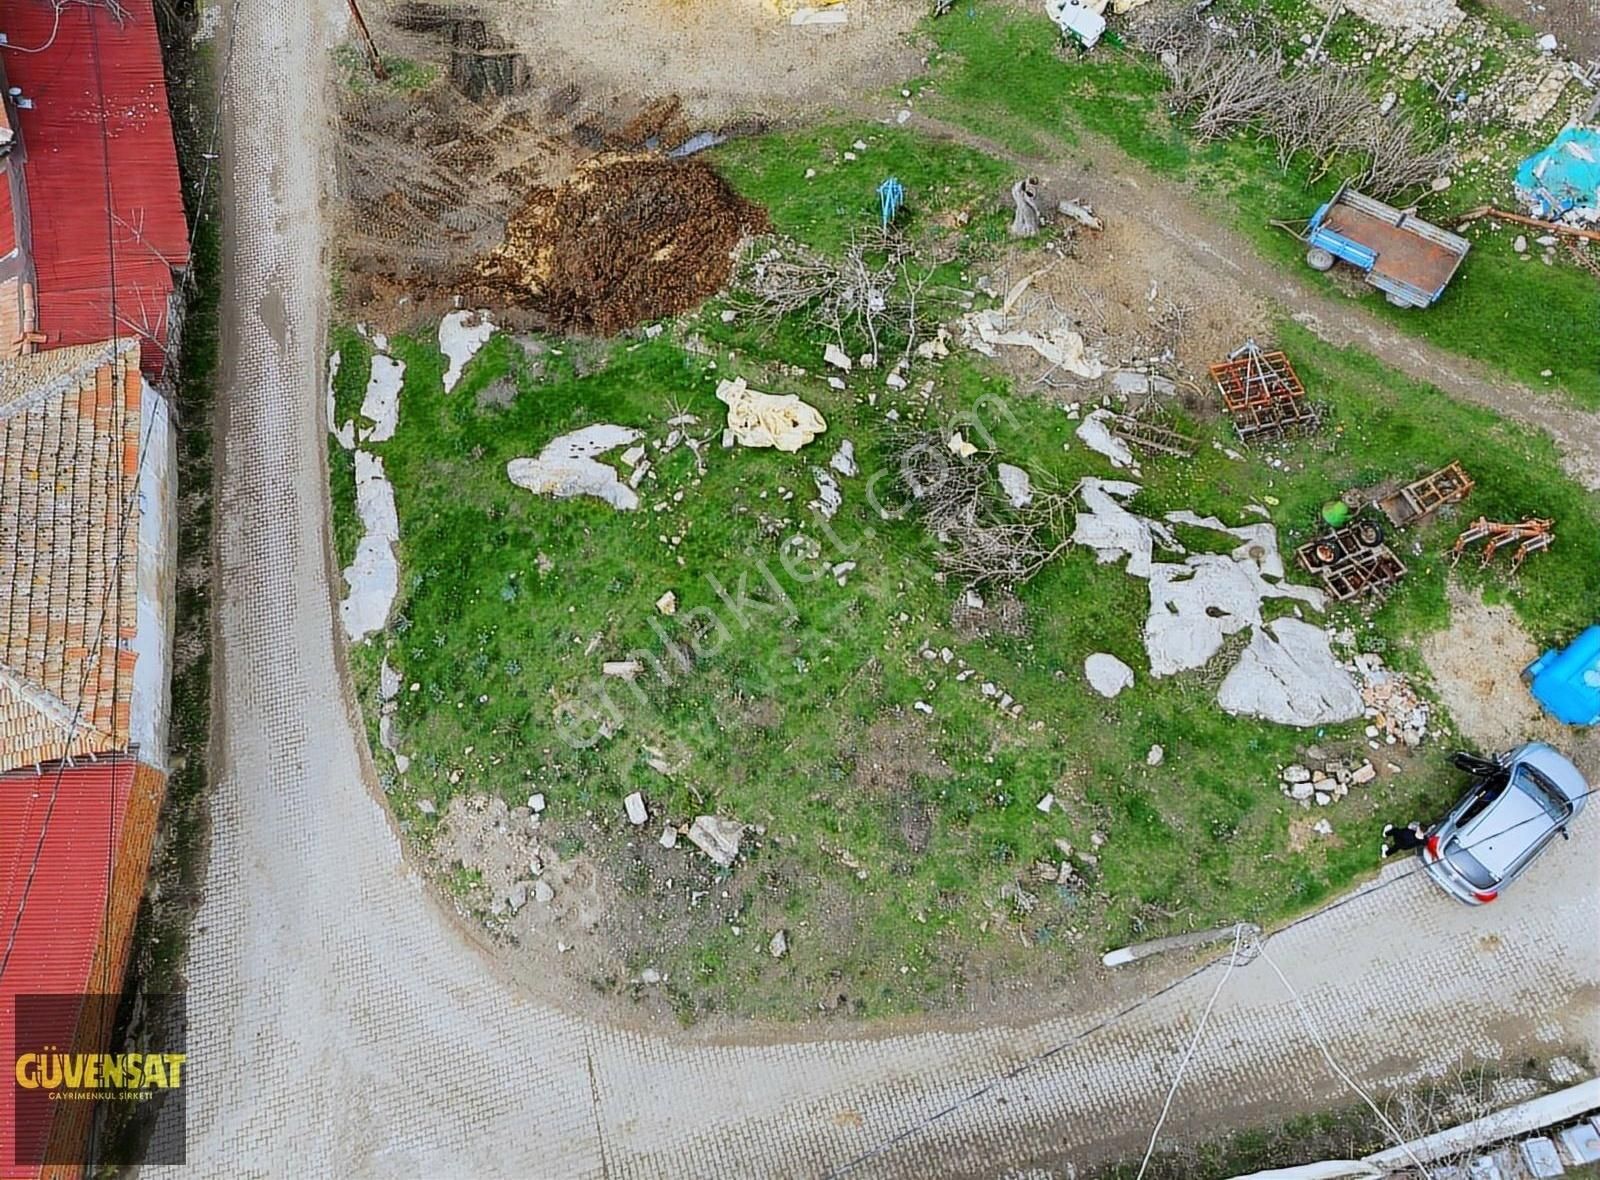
[1118, 186]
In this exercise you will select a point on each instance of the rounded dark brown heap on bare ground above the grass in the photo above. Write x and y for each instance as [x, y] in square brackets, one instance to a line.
[622, 242]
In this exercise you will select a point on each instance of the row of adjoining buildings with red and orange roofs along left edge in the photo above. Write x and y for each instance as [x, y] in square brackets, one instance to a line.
[94, 244]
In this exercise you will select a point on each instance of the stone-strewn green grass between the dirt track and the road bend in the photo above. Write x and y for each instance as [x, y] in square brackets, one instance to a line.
[889, 883]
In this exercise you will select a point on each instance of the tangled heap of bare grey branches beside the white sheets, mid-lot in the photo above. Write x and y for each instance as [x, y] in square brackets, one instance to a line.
[983, 538]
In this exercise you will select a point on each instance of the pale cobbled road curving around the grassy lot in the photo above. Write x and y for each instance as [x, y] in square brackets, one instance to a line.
[342, 1026]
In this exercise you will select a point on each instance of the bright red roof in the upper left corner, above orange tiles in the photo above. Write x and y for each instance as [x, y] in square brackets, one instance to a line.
[102, 172]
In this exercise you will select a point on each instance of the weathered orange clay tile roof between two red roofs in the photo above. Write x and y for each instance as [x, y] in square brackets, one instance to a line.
[70, 444]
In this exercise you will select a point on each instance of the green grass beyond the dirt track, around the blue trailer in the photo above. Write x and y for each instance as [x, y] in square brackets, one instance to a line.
[1505, 309]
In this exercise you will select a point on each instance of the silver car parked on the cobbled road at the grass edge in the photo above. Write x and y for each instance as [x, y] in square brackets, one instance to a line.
[1518, 807]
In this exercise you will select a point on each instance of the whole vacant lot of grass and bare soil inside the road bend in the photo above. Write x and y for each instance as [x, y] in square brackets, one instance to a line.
[887, 738]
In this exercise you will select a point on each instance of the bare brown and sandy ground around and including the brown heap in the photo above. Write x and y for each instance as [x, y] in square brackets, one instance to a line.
[438, 180]
